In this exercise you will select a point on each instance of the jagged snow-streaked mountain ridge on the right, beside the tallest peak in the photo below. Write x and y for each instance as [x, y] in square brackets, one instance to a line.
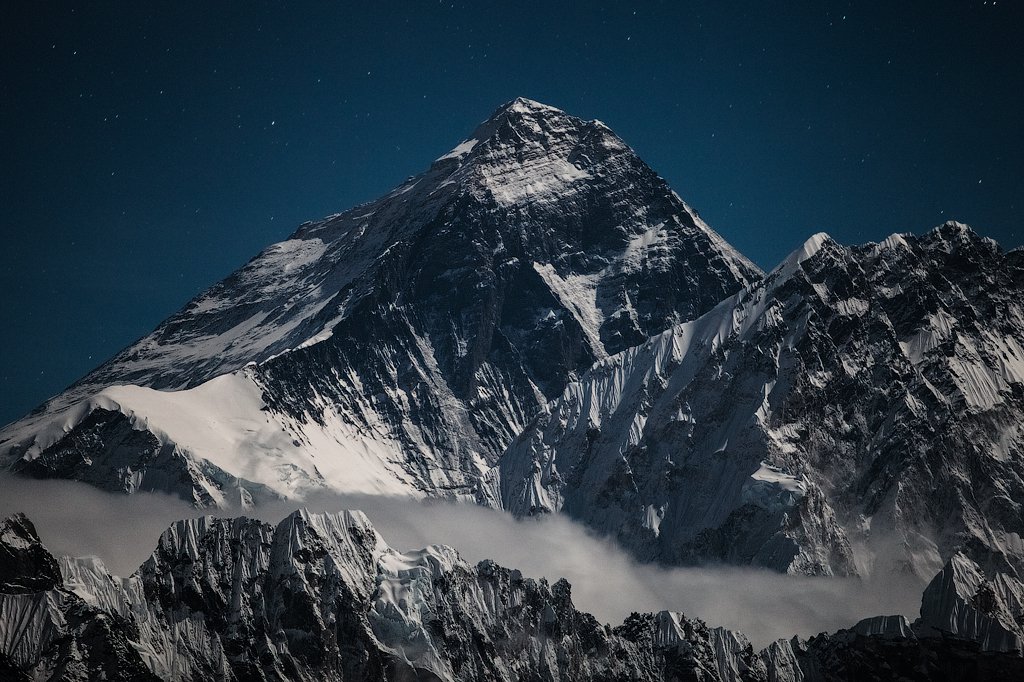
[857, 411]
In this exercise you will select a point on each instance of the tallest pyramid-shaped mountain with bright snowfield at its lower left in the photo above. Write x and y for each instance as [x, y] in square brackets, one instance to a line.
[398, 348]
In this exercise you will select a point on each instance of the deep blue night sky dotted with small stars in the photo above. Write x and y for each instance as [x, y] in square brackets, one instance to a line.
[150, 152]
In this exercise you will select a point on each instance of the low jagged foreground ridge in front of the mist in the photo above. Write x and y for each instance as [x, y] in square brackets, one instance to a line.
[323, 598]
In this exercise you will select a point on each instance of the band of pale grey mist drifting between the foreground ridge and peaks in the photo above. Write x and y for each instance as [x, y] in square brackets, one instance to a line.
[77, 520]
